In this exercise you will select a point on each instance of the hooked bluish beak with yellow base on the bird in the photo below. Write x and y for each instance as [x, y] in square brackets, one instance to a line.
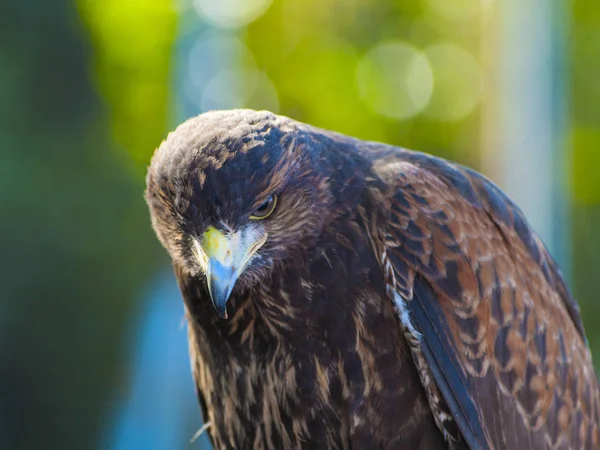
[224, 258]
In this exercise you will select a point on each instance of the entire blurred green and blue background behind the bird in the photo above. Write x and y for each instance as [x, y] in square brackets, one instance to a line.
[93, 350]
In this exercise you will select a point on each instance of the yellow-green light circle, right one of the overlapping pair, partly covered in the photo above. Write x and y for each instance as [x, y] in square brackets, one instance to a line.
[457, 82]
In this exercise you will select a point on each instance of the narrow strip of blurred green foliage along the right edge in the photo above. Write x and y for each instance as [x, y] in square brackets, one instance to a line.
[584, 67]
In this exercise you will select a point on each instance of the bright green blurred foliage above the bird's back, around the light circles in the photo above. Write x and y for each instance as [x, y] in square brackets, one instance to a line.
[311, 51]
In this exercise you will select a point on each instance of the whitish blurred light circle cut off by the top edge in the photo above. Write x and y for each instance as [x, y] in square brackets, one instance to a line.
[231, 13]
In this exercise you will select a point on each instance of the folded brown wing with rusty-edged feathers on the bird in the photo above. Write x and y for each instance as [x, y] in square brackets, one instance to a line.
[501, 334]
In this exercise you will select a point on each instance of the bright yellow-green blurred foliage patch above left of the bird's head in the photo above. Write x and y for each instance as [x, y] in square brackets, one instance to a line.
[133, 43]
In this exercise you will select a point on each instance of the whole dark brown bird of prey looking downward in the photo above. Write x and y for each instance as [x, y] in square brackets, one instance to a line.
[344, 294]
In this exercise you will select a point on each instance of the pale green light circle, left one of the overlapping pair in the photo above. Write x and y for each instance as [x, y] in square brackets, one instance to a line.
[395, 79]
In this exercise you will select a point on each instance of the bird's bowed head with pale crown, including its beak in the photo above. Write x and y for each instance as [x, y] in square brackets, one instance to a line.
[234, 195]
